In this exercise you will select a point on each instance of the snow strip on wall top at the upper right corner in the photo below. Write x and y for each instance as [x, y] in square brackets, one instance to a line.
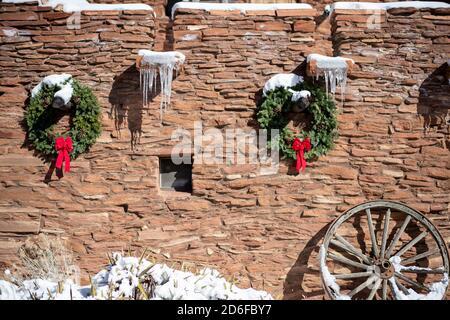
[389, 5]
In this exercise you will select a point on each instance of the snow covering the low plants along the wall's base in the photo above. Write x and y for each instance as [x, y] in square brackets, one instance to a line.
[122, 279]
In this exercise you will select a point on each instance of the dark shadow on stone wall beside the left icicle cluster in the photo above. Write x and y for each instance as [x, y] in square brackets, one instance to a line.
[126, 103]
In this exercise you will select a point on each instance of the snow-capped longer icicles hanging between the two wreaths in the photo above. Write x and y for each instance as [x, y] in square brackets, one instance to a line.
[163, 63]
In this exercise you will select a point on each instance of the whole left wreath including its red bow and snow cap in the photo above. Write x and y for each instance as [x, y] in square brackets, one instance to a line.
[44, 110]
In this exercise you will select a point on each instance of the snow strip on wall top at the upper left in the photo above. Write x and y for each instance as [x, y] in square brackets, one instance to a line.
[84, 5]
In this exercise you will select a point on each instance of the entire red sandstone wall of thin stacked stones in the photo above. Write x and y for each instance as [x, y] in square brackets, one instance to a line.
[263, 229]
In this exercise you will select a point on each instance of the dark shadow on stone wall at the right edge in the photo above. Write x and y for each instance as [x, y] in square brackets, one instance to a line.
[434, 100]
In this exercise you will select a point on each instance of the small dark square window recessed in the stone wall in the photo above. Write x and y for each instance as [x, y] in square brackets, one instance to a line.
[176, 177]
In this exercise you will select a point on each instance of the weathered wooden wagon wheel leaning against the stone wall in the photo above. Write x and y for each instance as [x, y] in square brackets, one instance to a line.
[384, 250]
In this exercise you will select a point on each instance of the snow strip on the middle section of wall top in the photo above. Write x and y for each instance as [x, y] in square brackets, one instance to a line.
[243, 7]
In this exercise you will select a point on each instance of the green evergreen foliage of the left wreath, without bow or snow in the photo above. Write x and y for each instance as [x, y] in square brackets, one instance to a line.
[85, 123]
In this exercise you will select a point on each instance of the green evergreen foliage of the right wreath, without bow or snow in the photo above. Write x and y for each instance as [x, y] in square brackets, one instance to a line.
[273, 113]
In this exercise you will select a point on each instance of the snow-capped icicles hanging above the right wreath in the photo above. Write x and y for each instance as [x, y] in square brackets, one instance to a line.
[333, 69]
